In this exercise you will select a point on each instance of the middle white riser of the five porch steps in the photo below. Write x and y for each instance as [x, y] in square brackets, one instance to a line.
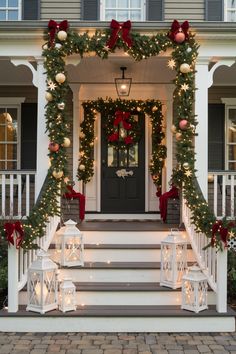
[111, 275]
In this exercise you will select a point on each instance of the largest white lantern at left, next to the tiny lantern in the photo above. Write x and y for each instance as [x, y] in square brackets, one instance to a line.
[42, 284]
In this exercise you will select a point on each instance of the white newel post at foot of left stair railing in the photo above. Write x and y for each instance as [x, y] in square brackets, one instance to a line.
[12, 279]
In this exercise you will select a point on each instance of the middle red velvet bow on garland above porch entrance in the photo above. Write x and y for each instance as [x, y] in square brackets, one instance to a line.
[116, 28]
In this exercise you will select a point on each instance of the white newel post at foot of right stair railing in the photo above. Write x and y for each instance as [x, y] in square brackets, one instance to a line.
[221, 295]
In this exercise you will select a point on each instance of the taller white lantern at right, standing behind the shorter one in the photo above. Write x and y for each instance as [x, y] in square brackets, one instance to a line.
[173, 260]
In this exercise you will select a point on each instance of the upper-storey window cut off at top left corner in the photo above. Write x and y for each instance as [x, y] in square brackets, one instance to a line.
[10, 10]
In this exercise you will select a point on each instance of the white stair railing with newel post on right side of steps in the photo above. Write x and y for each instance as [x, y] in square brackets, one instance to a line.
[213, 264]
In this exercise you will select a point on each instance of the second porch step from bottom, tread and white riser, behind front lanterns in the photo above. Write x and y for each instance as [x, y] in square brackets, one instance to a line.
[128, 294]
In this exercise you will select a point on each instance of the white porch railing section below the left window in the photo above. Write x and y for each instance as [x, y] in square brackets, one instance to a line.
[17, 193]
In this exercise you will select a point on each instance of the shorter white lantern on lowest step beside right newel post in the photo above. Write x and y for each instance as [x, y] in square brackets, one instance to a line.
[194, 290]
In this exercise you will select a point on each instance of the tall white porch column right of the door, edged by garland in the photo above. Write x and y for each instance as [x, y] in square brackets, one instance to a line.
[201, 110]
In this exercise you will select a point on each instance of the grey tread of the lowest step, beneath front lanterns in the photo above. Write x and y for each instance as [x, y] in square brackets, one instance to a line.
[123, 311]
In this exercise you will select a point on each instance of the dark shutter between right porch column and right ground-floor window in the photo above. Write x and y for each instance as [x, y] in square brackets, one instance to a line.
[216, 139]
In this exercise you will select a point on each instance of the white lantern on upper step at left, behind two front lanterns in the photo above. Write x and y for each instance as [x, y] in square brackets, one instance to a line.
[72, 247]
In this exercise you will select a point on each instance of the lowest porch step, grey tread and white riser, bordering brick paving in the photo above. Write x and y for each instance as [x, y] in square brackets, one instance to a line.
[119, 319]
